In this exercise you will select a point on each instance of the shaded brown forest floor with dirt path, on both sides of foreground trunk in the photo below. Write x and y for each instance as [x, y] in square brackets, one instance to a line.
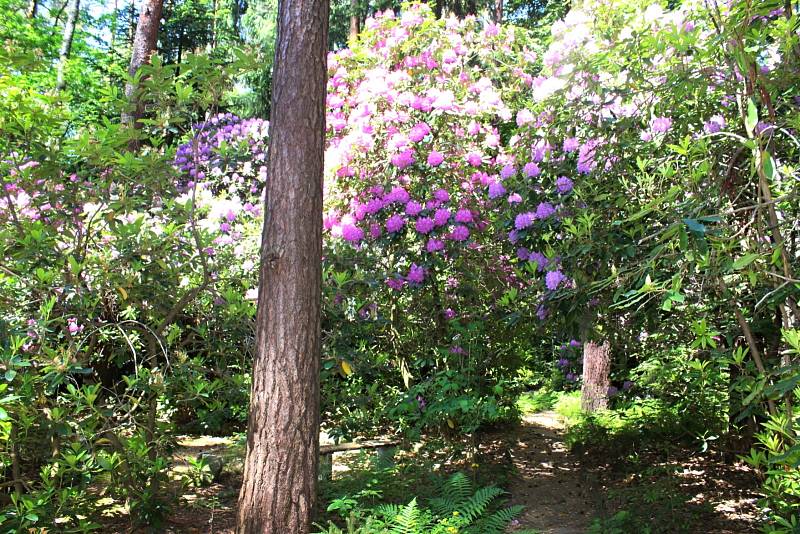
[563, 492]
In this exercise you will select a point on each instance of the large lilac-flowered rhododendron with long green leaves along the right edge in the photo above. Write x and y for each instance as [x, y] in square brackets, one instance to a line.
[670, 125]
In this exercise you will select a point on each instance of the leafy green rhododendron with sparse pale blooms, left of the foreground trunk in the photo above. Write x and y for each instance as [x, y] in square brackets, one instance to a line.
[123, 291]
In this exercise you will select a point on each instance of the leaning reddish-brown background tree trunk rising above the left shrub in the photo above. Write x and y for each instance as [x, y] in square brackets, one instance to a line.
[144, 44]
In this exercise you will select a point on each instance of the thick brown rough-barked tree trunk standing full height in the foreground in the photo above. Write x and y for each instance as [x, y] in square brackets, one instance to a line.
[280, 474]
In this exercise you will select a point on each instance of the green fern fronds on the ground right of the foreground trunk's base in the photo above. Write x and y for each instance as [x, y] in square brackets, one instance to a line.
[458, 509]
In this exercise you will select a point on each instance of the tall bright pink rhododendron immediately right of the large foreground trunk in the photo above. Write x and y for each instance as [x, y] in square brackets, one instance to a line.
[420, 113]
